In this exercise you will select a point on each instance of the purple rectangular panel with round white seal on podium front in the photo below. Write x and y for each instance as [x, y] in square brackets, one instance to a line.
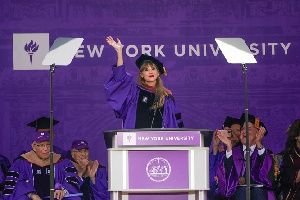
[158, 170]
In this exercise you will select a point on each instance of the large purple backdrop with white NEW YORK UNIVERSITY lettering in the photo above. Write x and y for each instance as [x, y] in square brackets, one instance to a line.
[206, 88]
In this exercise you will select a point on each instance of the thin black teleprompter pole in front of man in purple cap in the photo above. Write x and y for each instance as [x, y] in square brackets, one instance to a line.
[52, 69]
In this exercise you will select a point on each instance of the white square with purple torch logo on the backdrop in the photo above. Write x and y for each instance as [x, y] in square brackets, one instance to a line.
[29, 51]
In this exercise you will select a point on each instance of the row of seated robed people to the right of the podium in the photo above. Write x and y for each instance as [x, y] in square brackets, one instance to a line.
[272, 176]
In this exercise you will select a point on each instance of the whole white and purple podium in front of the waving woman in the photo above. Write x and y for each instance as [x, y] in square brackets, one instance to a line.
[158, 164]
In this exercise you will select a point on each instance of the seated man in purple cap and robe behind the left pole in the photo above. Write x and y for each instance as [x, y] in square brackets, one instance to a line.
[29, 176]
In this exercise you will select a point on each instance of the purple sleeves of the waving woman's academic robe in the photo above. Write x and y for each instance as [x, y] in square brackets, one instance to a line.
[122, 95]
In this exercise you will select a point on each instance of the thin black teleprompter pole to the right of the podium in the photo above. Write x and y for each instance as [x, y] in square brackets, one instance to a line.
[248, 197]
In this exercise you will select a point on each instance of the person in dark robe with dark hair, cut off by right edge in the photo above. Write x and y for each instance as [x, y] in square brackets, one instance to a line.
[290, 175]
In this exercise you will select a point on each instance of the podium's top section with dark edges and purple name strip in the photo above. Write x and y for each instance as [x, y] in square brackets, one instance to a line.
[158, 137]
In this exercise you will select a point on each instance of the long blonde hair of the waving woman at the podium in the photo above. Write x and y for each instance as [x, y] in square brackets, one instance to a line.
[159, 86]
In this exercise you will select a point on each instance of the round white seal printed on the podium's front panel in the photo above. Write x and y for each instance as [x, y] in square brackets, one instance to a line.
[158, 169]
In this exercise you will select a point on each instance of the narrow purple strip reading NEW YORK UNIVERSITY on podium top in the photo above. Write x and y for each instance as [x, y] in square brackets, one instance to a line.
[159, 138]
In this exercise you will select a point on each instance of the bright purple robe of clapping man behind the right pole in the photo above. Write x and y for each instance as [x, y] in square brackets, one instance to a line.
[262, 172]
